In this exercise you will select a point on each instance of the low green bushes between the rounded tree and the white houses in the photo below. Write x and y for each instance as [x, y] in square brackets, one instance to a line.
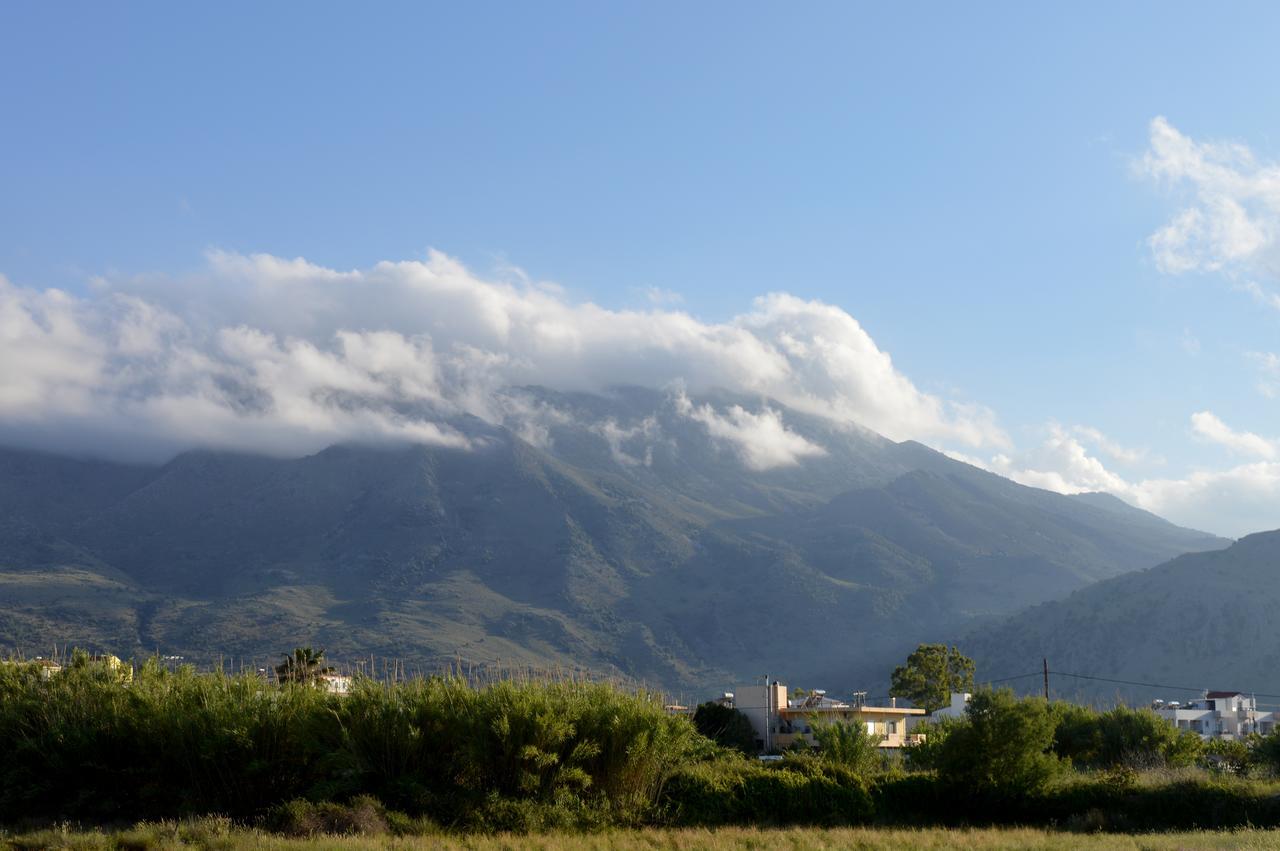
[1121, 736]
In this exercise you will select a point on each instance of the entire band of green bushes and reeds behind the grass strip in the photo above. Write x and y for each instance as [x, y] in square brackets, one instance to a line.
[441, 754]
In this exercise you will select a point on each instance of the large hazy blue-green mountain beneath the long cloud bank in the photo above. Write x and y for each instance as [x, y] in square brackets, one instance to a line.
[637, 534]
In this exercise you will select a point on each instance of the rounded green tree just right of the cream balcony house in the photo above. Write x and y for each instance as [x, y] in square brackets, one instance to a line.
[1002, 748]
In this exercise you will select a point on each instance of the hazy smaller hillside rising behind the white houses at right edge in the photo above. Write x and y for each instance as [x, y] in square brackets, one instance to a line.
[1203, 621]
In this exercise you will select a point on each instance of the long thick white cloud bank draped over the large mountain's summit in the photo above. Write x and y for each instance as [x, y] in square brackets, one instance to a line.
[260, 353]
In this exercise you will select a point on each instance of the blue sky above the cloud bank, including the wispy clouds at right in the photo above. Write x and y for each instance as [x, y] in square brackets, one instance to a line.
[966, 181]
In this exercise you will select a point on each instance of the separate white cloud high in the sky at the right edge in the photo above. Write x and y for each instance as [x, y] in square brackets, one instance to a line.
[1233, 214]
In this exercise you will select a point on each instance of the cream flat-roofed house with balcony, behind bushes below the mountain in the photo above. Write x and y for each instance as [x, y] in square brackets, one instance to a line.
[781, 721]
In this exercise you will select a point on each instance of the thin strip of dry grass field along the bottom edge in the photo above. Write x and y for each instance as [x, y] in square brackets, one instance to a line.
[220, 835]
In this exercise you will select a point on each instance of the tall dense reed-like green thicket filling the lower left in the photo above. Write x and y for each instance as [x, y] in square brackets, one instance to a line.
[84, 745]
